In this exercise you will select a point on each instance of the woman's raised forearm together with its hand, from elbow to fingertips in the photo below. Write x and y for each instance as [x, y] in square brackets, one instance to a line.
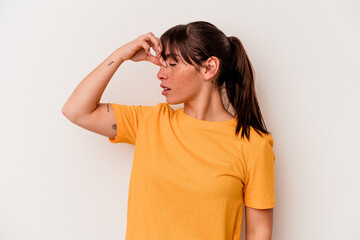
[86, 96]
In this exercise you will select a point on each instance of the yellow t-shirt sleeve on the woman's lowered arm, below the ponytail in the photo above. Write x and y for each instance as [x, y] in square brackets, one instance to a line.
[259, 189]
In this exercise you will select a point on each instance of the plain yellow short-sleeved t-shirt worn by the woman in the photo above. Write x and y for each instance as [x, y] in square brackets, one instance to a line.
[190, 177]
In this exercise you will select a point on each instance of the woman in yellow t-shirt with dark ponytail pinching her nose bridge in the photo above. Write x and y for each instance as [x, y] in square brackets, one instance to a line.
[192, 170]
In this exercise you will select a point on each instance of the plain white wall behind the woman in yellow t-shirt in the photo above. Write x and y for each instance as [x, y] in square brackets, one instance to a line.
[59, 181]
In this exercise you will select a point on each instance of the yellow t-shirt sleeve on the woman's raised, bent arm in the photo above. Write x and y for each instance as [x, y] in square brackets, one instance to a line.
[128, 119]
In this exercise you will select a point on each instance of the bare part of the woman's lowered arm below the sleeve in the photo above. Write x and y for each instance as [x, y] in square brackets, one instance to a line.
[258, 224]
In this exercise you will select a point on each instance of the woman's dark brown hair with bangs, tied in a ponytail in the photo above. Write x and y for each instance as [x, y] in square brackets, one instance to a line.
[196, 42]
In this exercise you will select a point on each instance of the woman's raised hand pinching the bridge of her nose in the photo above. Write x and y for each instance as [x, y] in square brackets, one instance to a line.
[139, 49]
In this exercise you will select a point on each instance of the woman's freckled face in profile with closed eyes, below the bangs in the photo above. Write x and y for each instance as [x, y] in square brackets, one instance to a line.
[182, 79]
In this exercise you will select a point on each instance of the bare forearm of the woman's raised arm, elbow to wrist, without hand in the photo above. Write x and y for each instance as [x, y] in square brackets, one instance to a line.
[86, 96]
